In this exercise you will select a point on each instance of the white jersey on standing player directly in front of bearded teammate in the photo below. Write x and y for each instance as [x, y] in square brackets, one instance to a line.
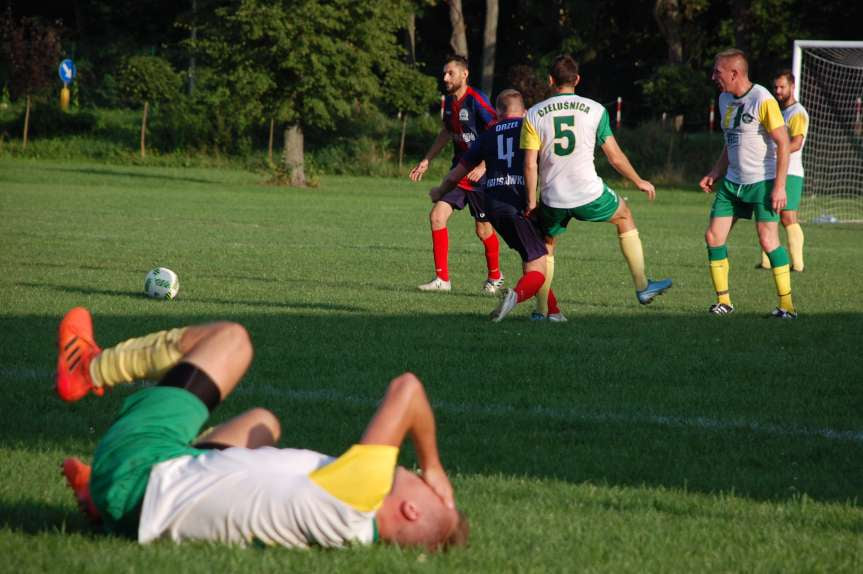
[747, 122]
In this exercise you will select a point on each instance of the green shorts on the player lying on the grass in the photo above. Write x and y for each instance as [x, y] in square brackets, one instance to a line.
[155, 424]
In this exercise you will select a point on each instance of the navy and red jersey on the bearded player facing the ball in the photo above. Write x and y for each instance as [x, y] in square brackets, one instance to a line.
[465, 119]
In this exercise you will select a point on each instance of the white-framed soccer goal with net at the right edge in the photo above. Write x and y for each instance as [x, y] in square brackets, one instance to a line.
[829, 84]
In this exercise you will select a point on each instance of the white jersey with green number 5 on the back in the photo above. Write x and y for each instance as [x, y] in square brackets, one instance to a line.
[566, 129]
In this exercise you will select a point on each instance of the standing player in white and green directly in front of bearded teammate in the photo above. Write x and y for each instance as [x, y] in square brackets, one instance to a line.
[753, 167]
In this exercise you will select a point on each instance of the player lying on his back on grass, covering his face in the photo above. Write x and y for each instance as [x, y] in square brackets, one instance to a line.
[150, 480]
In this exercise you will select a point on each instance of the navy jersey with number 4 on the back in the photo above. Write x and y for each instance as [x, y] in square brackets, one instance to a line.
[504, 164]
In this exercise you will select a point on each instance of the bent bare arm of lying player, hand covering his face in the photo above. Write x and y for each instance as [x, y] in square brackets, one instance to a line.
[405, 409]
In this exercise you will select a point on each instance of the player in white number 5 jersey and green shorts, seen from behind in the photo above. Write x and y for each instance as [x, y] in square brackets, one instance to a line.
[558, 137]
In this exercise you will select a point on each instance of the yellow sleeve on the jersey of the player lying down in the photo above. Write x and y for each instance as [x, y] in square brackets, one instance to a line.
[362, 477]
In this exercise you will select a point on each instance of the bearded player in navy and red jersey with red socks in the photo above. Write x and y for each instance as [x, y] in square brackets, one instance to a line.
[467, 113]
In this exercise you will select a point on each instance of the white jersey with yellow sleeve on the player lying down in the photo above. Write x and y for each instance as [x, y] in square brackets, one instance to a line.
[288, 497]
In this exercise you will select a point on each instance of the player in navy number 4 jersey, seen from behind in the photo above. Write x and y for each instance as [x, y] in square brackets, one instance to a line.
[506, 200]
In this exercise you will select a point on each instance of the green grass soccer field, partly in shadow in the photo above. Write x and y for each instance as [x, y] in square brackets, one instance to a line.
[629, 439]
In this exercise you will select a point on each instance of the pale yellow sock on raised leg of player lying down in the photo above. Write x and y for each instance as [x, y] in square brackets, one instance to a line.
[147, 357]
